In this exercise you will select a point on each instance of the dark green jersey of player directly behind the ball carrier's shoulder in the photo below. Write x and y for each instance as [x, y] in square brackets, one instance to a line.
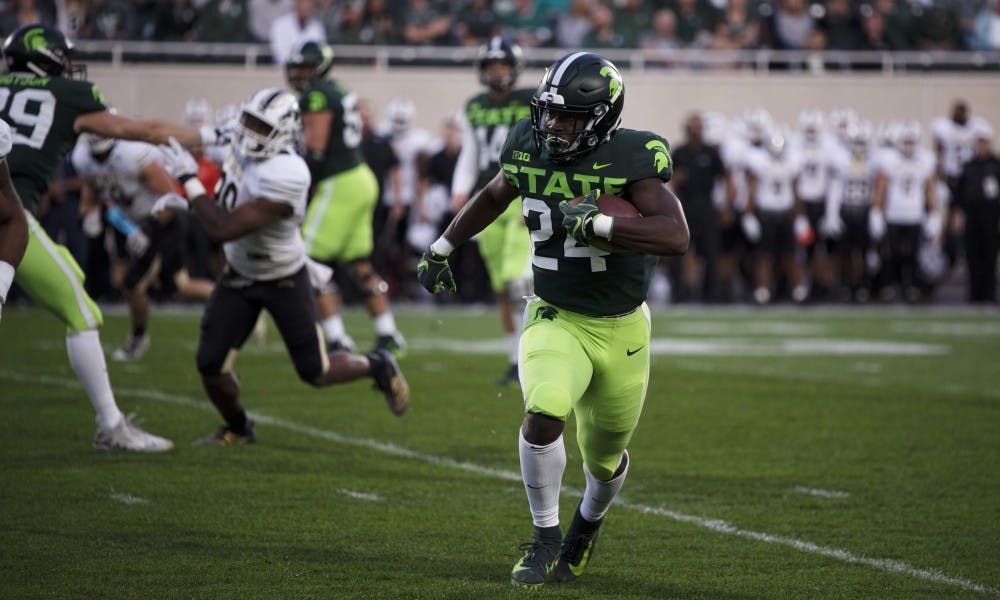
[490, 123]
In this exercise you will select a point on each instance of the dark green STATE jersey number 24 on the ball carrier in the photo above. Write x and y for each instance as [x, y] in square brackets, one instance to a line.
[583, 279]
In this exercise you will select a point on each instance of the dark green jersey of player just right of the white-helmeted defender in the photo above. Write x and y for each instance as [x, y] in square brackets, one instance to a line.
[343, 150]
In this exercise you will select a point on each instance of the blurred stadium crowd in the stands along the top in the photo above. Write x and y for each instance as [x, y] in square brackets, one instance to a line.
[657, 25]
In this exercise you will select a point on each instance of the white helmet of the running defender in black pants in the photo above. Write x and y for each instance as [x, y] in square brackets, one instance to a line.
[269, 123]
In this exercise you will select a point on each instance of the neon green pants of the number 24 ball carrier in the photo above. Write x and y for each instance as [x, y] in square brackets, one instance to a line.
[596, 367]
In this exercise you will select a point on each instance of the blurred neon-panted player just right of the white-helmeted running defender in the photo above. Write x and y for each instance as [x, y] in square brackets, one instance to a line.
[339, 221]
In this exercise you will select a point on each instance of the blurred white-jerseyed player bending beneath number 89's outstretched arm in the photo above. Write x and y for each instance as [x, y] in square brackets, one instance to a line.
[127, 178]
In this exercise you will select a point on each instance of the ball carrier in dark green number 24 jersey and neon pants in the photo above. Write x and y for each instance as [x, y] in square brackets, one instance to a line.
[585, 345]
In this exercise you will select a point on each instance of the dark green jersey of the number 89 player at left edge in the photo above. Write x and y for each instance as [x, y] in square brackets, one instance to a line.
[41, 112]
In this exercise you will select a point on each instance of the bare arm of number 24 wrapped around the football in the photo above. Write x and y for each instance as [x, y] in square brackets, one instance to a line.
[662, 231]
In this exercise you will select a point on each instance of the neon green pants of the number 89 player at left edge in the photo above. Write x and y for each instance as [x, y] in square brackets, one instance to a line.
[50, 276]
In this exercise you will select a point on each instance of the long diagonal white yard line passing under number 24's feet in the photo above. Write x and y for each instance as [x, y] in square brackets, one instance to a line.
[716, 525]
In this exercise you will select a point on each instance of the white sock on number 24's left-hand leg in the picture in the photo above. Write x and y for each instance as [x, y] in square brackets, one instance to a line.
[542, 469]
